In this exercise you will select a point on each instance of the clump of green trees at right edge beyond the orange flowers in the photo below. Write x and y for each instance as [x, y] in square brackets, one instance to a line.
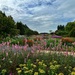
[68, 30]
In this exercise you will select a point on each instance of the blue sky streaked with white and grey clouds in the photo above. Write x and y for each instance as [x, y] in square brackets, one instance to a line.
[40, 15]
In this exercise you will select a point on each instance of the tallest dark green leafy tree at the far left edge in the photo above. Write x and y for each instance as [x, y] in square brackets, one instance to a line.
[7, 25]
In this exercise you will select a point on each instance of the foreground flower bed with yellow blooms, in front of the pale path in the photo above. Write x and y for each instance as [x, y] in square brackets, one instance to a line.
[28, 63]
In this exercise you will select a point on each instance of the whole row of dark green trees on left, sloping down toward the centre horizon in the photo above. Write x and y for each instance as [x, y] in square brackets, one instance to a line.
[9, 27]
